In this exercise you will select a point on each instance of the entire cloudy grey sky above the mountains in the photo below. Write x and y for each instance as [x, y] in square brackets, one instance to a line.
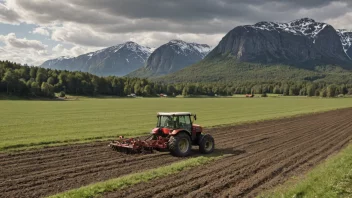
[32, 31]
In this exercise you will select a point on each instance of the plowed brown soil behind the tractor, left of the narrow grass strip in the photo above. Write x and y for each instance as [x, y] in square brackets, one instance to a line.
[53, 170]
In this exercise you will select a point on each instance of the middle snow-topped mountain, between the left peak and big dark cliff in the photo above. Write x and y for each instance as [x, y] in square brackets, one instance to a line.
[171, 57]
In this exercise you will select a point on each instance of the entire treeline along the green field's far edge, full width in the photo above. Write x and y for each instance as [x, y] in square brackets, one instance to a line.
[35, 81]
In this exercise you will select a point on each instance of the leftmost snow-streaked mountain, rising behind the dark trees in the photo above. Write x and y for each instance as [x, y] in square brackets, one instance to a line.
[117, 60]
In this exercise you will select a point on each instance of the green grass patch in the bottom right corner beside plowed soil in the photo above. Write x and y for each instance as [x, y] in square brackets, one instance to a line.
[331, 179]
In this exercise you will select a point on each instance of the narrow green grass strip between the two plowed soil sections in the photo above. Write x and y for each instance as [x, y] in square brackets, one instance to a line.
[99, 188]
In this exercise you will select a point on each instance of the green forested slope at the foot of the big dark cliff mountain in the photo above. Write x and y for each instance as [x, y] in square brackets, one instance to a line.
[228, 69]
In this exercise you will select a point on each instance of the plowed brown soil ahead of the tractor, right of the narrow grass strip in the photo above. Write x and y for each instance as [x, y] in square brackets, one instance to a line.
[265, 155]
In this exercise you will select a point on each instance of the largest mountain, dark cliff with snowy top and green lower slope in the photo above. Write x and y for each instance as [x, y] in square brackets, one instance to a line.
[267, 51]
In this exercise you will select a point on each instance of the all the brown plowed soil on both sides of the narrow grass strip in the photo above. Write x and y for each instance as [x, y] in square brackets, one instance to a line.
[262, 155]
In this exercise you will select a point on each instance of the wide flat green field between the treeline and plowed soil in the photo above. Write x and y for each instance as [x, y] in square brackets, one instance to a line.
[31, 123]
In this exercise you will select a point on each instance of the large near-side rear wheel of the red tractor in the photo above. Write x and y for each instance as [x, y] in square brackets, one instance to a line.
[180, 145]
